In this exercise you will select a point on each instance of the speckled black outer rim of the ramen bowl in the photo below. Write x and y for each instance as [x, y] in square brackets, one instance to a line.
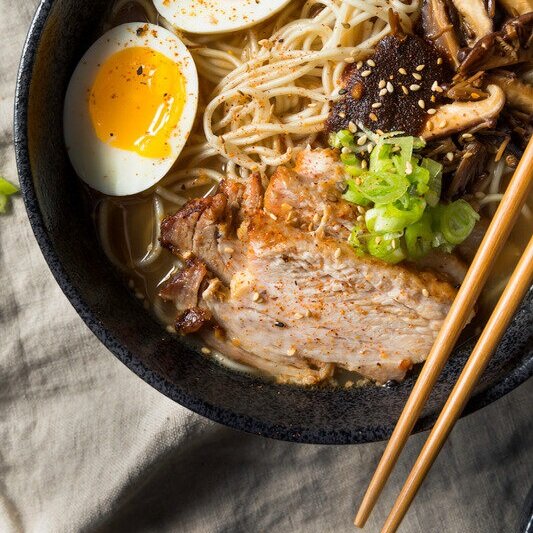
[507, 383]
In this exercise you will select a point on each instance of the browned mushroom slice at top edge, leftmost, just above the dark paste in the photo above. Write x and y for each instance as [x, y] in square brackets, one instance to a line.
[438, 28]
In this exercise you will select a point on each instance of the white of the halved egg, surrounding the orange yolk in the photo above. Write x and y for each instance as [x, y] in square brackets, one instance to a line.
[108, 169]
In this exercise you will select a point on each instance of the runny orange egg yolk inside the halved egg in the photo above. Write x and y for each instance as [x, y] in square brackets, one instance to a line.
[136, 101]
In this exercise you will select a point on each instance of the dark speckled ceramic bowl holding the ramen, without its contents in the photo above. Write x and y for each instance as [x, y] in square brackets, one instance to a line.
[61, 31]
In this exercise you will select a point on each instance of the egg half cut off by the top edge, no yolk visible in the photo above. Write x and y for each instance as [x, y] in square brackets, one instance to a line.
[217, 16]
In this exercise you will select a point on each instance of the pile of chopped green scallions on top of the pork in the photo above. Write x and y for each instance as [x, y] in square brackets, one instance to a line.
[401, 190]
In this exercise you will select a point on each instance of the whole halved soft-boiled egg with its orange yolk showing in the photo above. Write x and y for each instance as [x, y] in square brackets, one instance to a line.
[129, 108]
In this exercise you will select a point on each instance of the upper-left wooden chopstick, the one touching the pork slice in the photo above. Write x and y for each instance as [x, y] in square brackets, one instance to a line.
[460, 311]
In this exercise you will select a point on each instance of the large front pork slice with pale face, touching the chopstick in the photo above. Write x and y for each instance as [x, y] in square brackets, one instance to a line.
[316, 300]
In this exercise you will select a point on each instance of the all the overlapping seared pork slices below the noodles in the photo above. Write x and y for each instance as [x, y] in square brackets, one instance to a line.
[291, 298]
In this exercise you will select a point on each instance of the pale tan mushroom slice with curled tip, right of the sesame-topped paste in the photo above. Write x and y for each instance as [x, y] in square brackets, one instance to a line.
[459, 116]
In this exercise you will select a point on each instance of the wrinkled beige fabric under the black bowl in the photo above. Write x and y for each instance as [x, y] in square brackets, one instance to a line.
[85, 445]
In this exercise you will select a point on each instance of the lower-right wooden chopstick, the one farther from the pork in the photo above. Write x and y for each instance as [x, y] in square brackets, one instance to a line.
[477, 362]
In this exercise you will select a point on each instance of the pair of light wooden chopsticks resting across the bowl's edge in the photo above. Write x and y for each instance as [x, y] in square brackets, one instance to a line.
[460, 311]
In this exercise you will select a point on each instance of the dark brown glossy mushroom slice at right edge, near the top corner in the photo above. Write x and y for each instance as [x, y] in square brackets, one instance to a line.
[512, 45]
